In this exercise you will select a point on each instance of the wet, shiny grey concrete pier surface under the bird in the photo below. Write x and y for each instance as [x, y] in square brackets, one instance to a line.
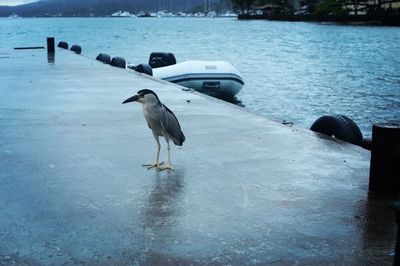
[245, 191]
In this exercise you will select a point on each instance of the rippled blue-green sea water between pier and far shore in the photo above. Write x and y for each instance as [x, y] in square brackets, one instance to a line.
[293, 71]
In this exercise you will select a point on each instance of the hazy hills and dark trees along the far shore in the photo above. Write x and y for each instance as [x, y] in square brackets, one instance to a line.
[319, 8]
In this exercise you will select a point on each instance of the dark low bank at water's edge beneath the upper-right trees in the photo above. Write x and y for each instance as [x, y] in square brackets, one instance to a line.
[348, 19]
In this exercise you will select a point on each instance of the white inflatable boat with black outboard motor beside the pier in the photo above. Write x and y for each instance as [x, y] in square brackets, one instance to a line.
[215, 78]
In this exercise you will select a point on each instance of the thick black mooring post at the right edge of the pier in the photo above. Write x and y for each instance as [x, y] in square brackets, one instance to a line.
[384, 174]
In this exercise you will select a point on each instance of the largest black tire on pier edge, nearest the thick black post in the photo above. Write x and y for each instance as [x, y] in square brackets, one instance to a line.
[339, 126]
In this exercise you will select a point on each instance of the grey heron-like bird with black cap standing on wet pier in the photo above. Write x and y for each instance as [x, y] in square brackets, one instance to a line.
[162, 122]
